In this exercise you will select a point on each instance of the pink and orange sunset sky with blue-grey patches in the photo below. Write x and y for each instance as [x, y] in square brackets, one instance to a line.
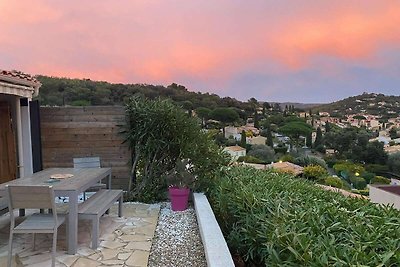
[299, 51]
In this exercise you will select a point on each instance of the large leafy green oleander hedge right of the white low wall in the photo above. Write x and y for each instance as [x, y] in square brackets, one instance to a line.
[275, 219]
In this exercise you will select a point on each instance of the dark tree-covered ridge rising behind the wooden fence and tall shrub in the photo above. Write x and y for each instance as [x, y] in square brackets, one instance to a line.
[83, 92]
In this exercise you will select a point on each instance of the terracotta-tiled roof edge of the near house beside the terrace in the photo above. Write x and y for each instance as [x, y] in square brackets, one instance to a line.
[18, 83]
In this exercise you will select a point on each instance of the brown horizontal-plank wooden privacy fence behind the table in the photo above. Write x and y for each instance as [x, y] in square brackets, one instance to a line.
[73, 132]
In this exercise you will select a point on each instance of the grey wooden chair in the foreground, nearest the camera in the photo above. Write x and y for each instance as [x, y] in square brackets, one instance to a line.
[33, 197]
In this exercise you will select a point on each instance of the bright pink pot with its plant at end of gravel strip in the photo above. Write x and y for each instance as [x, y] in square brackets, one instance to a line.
[179, 180]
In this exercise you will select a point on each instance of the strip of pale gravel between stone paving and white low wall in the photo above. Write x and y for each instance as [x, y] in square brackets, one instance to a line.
[177, 240]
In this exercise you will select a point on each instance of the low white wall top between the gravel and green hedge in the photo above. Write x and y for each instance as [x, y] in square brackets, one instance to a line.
[215, 247]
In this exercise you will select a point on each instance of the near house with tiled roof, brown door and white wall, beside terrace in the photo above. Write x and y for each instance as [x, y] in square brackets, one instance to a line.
[16, 112]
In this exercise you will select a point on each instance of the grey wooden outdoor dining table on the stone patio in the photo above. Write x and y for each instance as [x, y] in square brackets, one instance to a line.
[69, 187]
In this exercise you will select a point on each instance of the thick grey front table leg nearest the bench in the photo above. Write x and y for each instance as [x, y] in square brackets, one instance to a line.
[73, 223]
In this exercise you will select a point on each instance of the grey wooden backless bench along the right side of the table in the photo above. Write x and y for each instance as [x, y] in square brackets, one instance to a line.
[95, 206]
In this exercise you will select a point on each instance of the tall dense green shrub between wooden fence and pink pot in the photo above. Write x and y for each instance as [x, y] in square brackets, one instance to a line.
[158, 134]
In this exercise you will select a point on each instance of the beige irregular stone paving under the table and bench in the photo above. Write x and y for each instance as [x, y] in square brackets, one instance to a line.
[124, 241]
